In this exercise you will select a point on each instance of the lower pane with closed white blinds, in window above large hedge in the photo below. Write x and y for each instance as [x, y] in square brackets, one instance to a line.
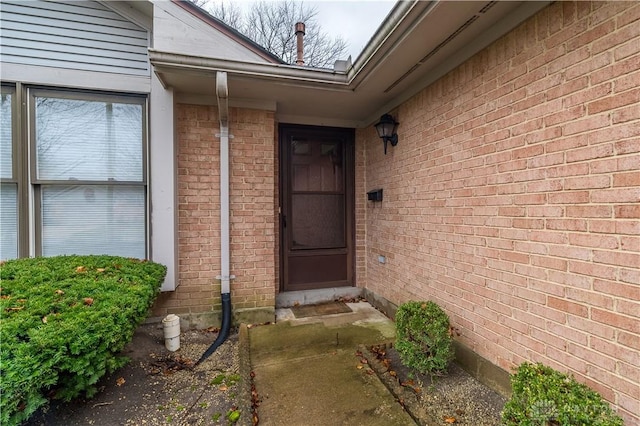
[93, 219]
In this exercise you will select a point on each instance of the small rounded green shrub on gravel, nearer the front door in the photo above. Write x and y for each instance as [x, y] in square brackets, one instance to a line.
[423, 340]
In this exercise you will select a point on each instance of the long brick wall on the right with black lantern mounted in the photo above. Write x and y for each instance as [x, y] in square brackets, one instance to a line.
[513, 198]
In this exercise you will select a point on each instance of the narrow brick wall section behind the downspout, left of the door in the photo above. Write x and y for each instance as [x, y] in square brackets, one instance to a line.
[252, 218]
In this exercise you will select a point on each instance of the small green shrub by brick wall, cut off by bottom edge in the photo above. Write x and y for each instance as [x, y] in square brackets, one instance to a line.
[545, 397]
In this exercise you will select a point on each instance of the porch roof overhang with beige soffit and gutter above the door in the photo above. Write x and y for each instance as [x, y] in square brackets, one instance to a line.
[418, 43]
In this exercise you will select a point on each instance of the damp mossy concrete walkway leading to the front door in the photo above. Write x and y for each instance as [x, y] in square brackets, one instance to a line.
[307, 371]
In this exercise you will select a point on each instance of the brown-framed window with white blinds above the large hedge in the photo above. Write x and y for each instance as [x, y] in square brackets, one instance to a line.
[87, 175]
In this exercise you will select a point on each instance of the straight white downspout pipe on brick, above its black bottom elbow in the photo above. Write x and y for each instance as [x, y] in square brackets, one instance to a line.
[222, 92]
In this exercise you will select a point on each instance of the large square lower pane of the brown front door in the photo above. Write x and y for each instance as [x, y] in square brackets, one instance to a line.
[318, 221]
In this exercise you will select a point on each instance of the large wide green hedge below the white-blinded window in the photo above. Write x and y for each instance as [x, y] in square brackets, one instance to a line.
[64, 320]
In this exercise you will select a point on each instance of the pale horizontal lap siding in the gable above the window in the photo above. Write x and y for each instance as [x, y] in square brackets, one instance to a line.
[82, 35]
